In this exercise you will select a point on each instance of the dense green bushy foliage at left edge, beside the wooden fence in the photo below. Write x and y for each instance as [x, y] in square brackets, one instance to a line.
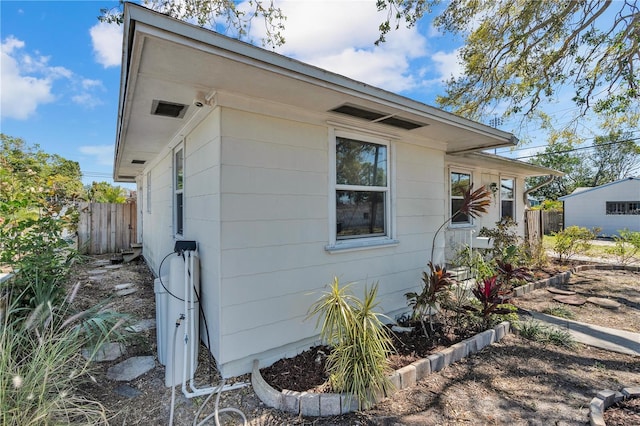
[37, 217]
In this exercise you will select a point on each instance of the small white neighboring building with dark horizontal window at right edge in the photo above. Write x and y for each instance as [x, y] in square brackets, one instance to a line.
[611, 207]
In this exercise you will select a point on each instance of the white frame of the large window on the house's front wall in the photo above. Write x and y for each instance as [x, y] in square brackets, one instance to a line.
[341, 245]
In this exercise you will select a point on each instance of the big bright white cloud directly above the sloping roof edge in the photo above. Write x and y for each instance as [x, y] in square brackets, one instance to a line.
[339, 36]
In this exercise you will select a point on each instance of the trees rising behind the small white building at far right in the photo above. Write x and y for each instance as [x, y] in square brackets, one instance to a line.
[612, 157]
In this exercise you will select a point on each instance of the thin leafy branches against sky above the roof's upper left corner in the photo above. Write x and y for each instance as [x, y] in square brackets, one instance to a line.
[215, 14]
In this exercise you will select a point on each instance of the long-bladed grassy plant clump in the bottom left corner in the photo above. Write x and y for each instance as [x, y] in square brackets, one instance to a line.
[41, 362]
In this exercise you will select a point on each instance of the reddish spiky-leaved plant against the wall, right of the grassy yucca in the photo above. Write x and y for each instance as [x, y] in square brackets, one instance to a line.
[435, 283]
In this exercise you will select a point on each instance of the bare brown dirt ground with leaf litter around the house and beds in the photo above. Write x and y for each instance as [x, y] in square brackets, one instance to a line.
[514, 382]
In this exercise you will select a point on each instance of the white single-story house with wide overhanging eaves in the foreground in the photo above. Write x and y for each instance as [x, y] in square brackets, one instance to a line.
[288, 175]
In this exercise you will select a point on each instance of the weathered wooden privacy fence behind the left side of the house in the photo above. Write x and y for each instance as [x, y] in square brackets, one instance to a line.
[106, 228]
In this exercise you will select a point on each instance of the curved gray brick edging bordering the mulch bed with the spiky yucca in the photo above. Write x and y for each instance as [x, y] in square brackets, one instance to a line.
[331, 404]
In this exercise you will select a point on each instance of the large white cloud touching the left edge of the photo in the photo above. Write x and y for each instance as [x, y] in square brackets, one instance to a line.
[22, 94]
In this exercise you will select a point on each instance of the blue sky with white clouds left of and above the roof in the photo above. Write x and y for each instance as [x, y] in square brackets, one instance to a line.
[61, 67]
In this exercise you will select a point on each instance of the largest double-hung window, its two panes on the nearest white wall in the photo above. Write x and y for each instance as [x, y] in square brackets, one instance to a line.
[362, 189]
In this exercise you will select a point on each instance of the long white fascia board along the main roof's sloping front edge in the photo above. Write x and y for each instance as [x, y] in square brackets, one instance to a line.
[271, 61]
